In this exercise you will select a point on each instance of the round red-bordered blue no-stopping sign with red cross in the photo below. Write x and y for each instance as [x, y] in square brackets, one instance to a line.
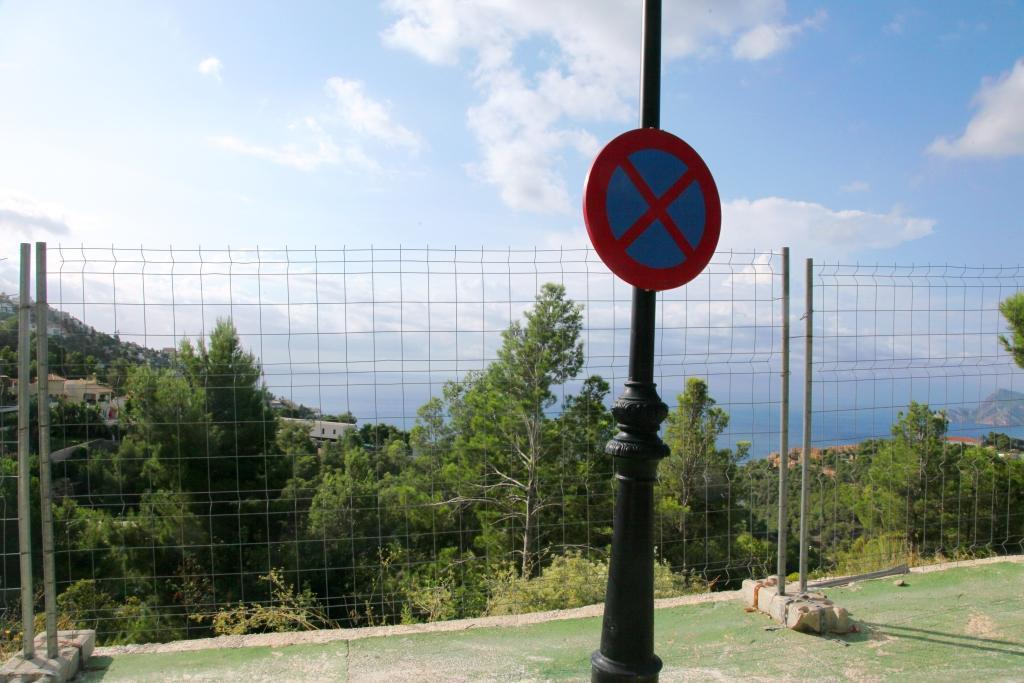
[653, 209]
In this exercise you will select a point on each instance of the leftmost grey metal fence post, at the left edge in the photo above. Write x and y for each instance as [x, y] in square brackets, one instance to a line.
[24, 445]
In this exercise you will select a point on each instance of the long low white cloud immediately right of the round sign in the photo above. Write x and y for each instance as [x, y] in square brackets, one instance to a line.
[773, 222]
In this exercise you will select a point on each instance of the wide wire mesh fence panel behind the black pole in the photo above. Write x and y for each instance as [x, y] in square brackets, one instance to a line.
[268, 440]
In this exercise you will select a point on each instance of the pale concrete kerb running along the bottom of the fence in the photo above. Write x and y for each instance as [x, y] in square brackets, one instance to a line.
[329, 636]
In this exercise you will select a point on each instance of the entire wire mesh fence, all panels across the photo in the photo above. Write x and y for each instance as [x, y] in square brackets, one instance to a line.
[251, 441]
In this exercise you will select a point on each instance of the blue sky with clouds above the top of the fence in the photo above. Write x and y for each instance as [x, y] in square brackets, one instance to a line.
[856, 132]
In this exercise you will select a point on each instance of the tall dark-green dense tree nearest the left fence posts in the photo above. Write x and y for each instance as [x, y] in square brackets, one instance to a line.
[204, 430]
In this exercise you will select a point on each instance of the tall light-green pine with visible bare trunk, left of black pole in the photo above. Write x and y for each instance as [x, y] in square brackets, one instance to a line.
[499, 418]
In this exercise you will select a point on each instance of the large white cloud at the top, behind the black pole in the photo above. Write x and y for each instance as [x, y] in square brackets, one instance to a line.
[530, 118]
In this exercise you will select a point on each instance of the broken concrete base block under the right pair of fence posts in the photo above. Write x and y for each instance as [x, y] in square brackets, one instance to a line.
[807, 613]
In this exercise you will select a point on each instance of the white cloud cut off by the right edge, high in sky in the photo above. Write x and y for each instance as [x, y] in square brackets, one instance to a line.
[998, 129]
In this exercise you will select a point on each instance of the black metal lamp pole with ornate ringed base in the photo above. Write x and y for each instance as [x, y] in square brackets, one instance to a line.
[628, 632]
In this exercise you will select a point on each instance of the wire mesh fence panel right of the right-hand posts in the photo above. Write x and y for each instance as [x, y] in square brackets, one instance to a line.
[918, 417]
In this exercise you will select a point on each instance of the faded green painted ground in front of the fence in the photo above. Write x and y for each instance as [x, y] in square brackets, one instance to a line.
[964, 624]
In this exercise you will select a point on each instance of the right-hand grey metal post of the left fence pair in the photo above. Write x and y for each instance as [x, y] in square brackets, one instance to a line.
[46, 491]
